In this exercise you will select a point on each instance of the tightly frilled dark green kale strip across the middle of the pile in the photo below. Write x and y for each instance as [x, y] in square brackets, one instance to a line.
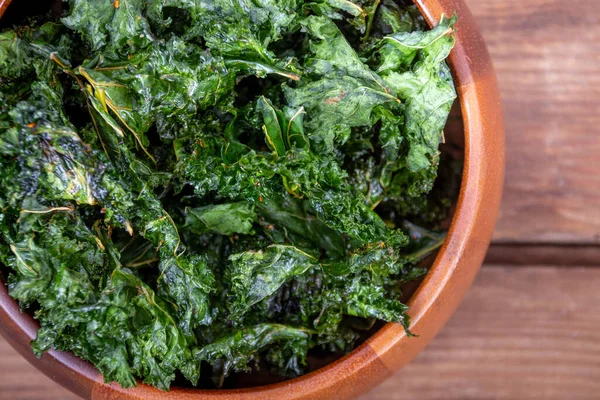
[258, 177]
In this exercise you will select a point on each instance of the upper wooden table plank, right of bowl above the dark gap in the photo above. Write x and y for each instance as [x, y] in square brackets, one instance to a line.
[546, 54]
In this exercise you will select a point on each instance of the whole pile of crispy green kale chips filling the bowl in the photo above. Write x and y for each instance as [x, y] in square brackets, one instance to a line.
[224, 182]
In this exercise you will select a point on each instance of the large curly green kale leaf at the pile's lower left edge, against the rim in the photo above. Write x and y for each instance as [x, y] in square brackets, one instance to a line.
[89, 304]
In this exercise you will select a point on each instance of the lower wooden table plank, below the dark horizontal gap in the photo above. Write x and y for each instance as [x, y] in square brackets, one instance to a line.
[521, 333]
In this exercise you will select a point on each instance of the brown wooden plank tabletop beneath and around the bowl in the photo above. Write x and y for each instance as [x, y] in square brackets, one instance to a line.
[530, 326]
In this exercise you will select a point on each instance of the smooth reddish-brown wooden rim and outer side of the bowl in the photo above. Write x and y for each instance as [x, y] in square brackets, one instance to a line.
[432, 304]
